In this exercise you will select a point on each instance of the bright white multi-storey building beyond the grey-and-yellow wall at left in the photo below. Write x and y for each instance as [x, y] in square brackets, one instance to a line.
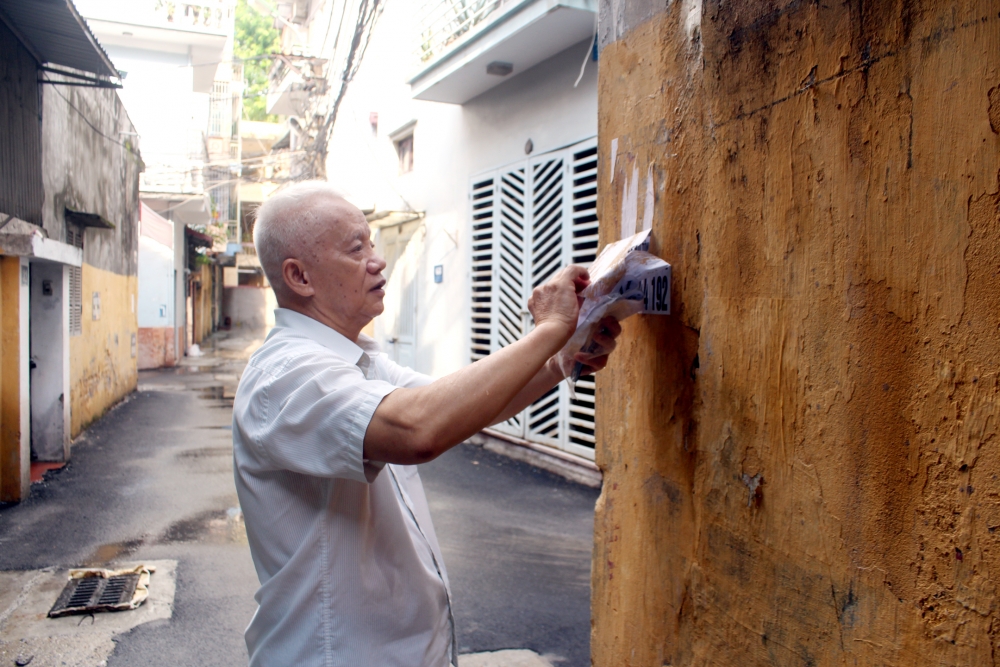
[184, 94]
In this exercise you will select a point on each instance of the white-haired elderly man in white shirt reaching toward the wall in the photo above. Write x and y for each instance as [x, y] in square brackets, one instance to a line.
[326, 435]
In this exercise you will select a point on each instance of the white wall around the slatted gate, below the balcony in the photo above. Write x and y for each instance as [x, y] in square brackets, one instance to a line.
[451, 144]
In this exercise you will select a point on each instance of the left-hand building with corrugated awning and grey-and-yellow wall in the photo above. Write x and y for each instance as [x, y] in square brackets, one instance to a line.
[69, 213]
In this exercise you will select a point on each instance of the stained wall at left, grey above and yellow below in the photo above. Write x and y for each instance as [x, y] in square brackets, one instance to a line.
[90, 164]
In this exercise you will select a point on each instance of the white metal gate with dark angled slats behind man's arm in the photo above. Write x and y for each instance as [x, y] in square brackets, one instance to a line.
[530, 219]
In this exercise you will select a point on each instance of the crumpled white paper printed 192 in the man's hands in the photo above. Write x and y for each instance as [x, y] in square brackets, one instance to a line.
[625, 279]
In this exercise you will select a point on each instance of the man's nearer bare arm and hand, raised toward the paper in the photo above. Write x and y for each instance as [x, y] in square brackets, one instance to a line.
[416, 425]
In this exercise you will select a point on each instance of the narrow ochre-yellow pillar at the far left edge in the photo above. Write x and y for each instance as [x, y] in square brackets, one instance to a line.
[15, 434]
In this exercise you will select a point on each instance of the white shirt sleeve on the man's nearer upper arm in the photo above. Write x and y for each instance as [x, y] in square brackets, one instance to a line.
[315, 418]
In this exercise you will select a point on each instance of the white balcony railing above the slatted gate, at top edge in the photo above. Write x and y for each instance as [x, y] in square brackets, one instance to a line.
[447, 23]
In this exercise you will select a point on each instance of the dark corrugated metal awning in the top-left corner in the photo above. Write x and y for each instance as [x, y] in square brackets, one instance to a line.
[55, 33]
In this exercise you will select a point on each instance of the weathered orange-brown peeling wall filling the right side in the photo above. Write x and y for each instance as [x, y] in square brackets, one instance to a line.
[805, 467]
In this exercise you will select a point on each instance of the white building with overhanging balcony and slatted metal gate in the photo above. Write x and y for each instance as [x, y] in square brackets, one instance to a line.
[469, 138]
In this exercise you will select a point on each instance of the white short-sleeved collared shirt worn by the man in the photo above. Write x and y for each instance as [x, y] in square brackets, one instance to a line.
[350, 568]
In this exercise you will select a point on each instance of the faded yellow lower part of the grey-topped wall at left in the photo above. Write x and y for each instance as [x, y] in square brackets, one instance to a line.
[103, 363]
